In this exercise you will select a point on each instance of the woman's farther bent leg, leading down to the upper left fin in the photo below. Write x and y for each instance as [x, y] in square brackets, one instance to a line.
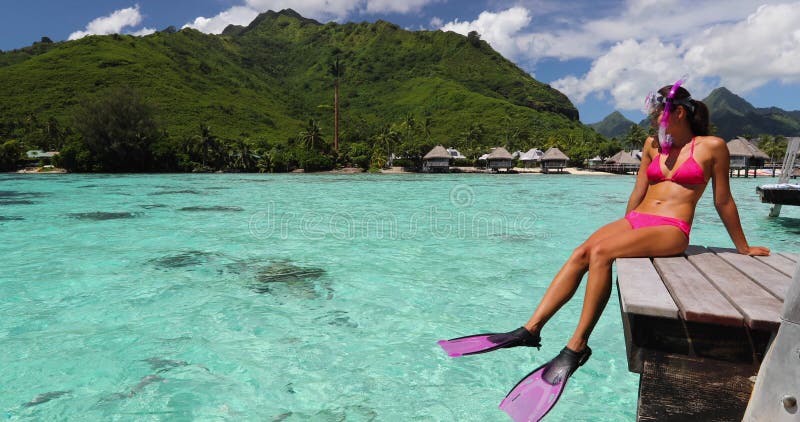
[566, 281]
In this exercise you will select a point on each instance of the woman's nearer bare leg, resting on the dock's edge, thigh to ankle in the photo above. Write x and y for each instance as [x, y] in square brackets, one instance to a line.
[643, 242]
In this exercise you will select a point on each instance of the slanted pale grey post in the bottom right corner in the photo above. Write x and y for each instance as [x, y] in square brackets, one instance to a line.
[777, 391]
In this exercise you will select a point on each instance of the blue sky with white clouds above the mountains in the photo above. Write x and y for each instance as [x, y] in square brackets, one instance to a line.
[604, 54]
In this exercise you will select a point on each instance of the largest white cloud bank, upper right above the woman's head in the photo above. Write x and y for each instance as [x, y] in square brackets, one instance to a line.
[742, 55]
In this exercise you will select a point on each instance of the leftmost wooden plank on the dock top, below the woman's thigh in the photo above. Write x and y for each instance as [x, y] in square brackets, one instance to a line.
[641, 289]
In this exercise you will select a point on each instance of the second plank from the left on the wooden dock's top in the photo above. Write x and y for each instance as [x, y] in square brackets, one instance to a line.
[697, 299]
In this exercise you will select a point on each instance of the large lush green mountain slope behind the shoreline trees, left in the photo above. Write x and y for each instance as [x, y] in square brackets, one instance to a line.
[264, 82]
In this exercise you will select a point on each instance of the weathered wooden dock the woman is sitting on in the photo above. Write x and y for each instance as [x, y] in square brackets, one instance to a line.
[697, 327]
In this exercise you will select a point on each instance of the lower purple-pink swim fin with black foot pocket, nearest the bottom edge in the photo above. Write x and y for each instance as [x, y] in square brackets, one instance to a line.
[536, 394]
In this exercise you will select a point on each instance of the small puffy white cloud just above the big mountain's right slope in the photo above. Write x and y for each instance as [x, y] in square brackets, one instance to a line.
[500, 30]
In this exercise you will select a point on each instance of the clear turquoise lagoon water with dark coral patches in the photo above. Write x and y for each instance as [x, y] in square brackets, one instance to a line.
[304, 297]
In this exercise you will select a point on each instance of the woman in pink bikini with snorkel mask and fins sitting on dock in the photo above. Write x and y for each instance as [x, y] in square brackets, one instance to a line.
[676, 167]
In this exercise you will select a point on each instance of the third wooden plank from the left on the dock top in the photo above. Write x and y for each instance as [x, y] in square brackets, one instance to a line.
[760, 309]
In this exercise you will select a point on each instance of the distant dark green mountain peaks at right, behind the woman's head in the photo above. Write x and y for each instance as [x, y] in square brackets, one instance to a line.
[733, 116]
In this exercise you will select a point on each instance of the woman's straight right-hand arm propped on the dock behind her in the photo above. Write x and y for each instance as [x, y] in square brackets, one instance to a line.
[723, 200]
